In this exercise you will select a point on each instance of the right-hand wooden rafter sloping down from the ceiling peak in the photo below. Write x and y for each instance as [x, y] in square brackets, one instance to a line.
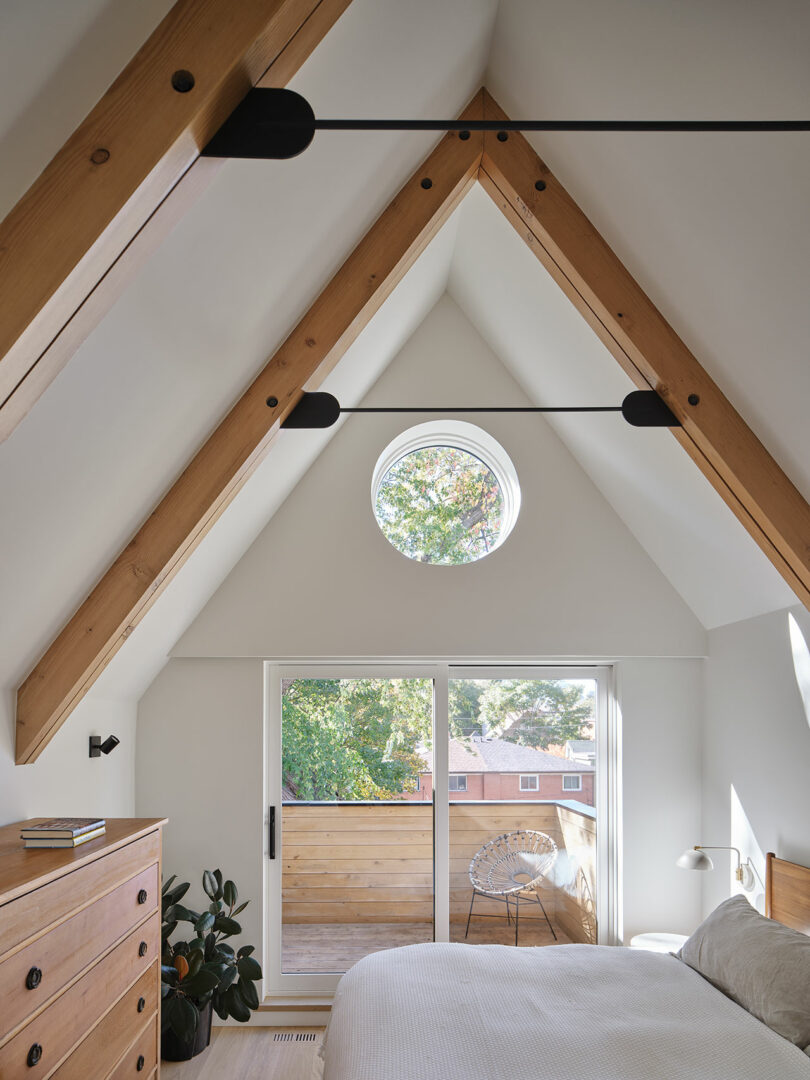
[649, 349]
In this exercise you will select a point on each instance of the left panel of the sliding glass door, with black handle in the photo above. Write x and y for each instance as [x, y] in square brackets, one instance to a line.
[350, 833]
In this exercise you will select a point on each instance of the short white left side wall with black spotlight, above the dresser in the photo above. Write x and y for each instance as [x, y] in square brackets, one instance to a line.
[65, 781]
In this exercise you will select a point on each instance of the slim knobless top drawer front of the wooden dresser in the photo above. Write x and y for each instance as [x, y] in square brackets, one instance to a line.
[30, 915]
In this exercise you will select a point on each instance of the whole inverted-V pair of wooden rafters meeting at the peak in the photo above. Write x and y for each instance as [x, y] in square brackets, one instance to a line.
[592, 277]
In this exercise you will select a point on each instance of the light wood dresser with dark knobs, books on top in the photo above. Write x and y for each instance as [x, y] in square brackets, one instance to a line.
[80, 956]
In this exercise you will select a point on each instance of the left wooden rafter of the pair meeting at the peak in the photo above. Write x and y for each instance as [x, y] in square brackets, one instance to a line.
[88, 643]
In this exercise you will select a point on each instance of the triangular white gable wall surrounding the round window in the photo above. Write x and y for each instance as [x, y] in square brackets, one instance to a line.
[322, 580]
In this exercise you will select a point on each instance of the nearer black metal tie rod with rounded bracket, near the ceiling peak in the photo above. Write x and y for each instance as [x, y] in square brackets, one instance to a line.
[274, 123]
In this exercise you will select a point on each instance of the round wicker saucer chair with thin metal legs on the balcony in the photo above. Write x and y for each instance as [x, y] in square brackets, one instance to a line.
[509, 869]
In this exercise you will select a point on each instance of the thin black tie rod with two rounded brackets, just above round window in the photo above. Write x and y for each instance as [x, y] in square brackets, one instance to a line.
[642, 409]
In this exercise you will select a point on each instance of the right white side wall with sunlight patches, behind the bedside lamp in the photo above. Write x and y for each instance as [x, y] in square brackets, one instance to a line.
[757, 793]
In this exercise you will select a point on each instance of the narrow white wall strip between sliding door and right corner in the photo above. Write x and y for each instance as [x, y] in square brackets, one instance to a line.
[661, 714]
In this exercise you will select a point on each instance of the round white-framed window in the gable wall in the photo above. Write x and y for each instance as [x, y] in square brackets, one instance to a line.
[445, 493]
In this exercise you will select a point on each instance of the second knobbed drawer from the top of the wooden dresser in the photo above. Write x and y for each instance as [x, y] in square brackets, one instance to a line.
[36, 1050]
